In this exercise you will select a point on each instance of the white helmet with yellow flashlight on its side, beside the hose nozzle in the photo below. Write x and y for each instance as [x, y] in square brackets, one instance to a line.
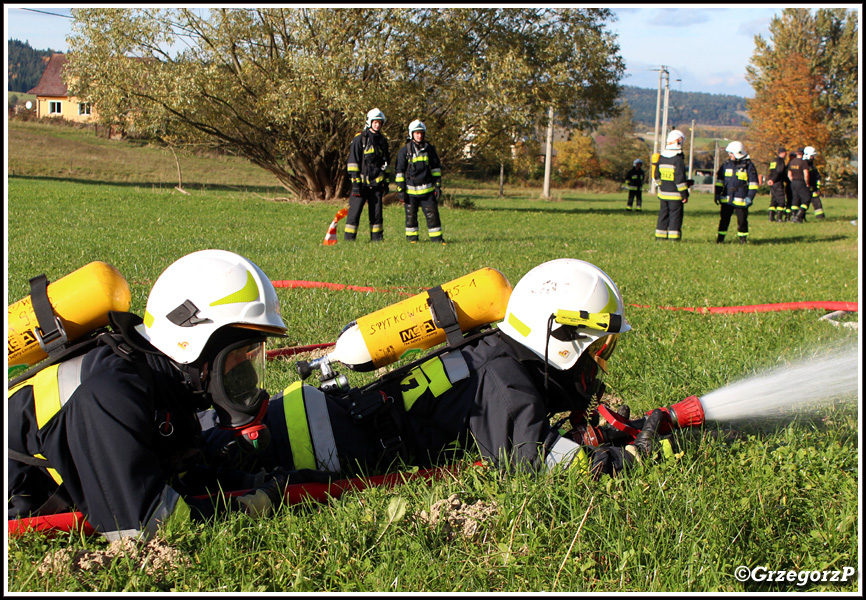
[564, 307]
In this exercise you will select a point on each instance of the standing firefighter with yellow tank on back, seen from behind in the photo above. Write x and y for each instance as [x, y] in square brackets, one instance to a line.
[673, 188]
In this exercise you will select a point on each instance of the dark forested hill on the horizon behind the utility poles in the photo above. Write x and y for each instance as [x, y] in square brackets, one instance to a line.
[705, 109]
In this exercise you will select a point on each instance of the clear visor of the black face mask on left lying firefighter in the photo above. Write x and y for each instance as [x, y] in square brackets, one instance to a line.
[241, 370]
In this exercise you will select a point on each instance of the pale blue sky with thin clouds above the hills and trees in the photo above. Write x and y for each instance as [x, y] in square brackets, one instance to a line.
[705, 47]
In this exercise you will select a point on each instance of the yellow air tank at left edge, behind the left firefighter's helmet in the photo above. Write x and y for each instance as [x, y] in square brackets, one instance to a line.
[81, 300]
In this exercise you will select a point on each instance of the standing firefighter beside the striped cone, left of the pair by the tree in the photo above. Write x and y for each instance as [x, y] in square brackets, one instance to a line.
[368, 158]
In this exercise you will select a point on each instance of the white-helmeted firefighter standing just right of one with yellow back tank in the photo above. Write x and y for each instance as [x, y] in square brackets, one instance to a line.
[736, 187]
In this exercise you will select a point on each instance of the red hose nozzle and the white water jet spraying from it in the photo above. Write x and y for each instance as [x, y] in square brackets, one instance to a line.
[810, 385]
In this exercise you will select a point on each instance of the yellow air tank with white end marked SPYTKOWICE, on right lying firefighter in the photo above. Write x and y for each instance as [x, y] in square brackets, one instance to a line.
[382, 337]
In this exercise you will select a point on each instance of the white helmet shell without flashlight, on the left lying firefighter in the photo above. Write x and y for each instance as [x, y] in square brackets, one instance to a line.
[203, 292]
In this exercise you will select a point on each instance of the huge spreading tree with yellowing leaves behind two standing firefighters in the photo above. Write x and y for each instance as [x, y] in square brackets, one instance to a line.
[289, 88]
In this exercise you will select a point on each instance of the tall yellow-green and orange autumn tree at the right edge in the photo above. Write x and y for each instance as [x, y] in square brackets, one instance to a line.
[826, 42]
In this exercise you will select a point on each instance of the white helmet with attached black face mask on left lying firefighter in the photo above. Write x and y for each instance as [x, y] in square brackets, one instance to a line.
[210, 312]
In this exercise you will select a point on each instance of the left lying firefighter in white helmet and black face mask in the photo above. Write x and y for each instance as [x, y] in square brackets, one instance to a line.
[109, 431]
